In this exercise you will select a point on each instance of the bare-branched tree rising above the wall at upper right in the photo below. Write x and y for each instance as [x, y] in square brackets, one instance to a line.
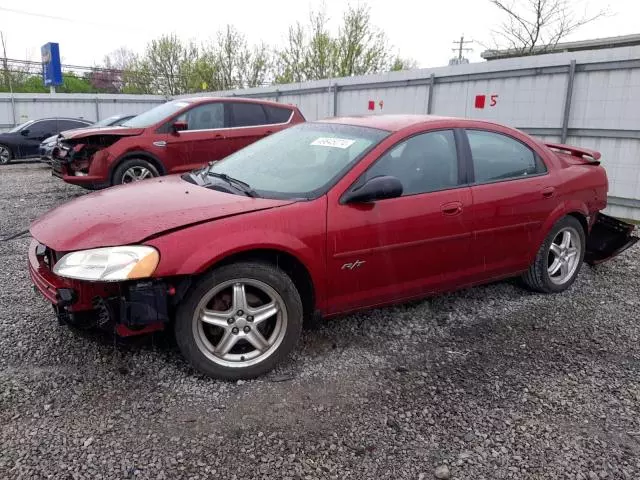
[536, 26]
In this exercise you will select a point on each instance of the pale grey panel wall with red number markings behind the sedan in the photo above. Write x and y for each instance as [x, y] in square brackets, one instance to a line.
[588, 98]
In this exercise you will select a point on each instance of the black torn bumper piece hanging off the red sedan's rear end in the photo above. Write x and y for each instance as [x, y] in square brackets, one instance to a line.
[608, 238]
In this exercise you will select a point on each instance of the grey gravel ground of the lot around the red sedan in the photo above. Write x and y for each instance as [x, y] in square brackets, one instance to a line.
[488, 383]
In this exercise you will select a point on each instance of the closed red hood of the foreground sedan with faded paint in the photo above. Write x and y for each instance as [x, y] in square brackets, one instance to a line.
[129, 214]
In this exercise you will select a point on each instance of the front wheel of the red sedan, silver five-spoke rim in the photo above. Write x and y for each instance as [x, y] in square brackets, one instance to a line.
[239, 321]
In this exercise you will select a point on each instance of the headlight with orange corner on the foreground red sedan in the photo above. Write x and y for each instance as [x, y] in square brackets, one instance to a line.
[109, 264]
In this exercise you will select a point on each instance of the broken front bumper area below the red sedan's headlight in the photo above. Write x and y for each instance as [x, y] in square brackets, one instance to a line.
[129, 308]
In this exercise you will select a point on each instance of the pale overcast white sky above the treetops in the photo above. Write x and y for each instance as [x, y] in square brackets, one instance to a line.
[424, 30]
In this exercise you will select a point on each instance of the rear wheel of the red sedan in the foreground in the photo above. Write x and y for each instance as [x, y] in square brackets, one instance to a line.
[559, 258]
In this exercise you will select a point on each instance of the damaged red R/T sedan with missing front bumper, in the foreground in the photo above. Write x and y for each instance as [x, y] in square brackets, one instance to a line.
[319, 220]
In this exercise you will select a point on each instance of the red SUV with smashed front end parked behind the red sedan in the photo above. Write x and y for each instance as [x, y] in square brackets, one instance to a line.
[174, 137]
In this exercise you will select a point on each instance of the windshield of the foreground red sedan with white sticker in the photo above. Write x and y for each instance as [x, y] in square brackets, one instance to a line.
[299, 162]
